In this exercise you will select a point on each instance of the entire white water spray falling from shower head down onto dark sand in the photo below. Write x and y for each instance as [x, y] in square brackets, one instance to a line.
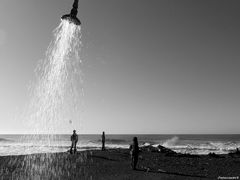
[55, 96]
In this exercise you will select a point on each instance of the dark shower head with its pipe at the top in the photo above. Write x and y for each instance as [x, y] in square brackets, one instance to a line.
[72, 17]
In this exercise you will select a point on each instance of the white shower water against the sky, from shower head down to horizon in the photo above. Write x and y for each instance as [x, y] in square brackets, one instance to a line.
[56, 95]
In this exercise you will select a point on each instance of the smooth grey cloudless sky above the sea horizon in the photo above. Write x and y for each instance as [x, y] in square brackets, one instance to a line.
[150, 66]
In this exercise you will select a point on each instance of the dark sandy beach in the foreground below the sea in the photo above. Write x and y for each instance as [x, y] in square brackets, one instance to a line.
[115, 164]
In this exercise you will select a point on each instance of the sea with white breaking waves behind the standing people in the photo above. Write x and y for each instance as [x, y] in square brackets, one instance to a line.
[187, 143]
